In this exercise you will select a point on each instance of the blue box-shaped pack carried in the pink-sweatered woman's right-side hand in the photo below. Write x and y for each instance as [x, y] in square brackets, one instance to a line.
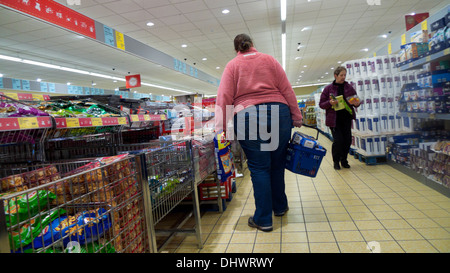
[304, 155]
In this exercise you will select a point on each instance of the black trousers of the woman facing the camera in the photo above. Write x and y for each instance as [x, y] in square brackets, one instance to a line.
[342, 139]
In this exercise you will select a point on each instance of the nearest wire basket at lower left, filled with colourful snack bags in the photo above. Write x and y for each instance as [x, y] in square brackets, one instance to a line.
[82, 206]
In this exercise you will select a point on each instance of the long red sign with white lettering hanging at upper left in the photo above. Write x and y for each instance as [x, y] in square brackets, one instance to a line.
[55, 13]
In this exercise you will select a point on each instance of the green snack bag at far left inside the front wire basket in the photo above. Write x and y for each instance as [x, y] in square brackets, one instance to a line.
[28, 205]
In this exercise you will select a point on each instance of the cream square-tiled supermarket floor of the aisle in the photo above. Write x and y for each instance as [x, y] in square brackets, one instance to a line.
[357, 210]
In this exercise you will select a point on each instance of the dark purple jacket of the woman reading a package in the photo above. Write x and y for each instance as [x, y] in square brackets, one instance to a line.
[330, 114]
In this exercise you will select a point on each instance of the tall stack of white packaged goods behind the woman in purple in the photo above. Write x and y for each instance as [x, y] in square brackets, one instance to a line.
[378, 85]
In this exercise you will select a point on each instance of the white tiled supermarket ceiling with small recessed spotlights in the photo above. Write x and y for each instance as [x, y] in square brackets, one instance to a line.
[337, 31]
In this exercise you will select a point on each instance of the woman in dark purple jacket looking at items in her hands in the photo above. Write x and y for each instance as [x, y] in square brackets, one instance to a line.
[340, 122]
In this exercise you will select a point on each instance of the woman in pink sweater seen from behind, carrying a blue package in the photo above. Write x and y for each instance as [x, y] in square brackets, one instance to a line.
[254, 91]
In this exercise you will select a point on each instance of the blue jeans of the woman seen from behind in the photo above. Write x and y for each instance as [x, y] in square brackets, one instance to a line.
[266, 163]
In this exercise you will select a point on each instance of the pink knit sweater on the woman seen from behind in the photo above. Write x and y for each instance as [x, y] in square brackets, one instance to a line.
[253, 78]
